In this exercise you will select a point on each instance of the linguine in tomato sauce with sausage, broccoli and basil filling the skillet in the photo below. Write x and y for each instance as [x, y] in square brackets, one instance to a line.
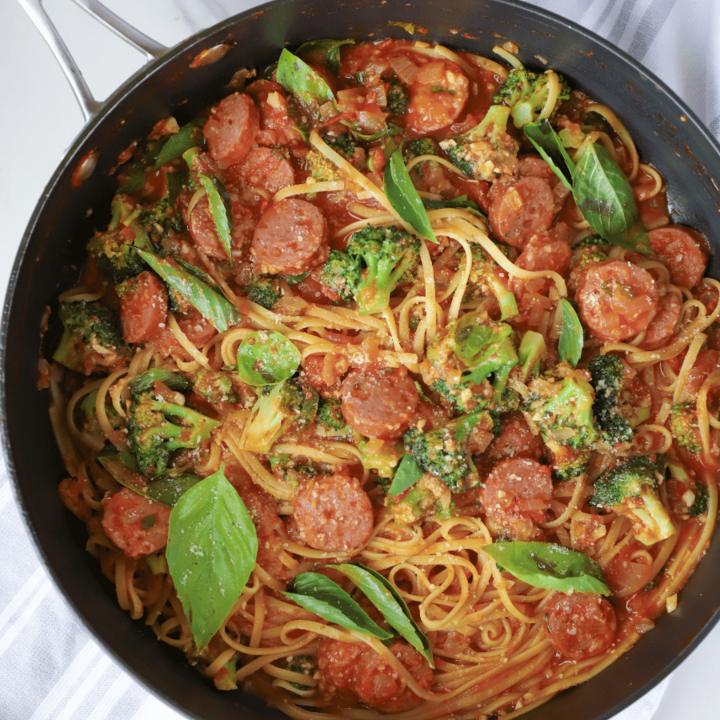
[383, 293]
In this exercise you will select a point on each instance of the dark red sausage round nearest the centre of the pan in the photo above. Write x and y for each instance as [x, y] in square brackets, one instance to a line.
[379, 402]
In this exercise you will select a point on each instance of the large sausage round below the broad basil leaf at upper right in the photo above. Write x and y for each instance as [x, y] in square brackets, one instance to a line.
[617, 300]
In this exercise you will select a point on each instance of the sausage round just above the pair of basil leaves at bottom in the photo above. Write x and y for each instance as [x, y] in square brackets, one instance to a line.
[333, 513]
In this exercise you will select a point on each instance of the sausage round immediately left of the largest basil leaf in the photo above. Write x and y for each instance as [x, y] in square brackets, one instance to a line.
[138, 526]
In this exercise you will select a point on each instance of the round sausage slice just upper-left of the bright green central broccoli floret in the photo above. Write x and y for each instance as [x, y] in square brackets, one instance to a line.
[291, 238]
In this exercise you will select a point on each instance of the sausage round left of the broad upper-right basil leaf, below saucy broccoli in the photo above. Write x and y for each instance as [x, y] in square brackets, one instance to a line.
[520, 209]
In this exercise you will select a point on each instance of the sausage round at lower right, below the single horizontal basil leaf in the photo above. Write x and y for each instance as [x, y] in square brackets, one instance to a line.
[580, 626]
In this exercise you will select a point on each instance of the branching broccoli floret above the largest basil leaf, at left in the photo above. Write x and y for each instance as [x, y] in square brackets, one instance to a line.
[157, 427]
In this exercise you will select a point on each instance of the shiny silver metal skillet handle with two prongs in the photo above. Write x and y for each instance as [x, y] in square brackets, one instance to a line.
[88, 104]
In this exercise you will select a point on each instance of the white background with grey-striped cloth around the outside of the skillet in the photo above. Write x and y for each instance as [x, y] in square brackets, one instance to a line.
[50, 667]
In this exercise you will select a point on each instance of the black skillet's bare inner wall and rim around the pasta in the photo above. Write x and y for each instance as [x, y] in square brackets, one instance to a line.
[667, 133]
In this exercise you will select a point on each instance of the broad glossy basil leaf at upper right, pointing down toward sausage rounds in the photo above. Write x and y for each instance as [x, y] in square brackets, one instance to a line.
[606, 200]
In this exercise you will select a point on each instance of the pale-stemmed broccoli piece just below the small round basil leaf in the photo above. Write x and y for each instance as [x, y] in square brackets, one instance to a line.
[275, 411]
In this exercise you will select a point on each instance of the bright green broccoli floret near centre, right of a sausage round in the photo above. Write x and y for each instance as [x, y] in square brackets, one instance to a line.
[376, 261]
